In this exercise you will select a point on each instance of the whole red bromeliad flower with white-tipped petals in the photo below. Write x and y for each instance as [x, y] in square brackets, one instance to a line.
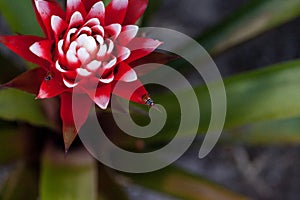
[86, 45]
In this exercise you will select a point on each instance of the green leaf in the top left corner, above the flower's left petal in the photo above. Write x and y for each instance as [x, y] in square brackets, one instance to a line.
[20, 17]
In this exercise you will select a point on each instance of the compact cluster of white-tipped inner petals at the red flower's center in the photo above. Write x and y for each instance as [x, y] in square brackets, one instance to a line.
[87, 52]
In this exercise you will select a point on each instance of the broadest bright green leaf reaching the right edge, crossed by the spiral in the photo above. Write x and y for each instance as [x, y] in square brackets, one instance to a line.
[267, 94]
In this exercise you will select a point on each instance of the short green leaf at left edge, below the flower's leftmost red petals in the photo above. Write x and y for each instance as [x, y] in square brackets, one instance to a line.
[19, 106]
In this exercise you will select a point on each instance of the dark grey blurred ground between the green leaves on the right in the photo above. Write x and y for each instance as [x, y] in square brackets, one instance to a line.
[259, 172]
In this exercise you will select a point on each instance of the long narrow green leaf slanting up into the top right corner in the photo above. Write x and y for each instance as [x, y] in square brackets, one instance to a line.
[249, 21]
